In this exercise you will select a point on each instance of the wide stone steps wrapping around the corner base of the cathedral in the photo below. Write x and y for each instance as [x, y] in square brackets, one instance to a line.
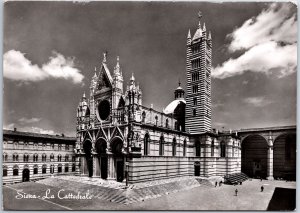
[135, 193]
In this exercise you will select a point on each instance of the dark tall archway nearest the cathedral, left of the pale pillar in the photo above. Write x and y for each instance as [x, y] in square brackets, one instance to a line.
[255, 156]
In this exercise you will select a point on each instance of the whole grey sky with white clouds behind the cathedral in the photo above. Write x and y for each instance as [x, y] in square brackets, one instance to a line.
[51, 48]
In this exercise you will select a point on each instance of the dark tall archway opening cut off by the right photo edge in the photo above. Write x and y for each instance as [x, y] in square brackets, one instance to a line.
[284, 157]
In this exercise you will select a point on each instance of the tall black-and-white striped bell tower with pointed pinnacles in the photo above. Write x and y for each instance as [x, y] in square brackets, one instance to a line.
[198, 70]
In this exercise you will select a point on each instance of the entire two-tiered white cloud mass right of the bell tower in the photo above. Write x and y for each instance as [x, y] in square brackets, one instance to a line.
[269, 44]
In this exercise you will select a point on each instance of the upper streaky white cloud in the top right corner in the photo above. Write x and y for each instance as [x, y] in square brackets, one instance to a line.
[276, 23]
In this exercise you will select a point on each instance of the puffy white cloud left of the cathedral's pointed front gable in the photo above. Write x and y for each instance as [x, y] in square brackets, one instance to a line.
[18, 68]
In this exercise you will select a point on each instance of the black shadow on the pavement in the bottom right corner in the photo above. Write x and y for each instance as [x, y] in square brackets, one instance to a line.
[283, 199]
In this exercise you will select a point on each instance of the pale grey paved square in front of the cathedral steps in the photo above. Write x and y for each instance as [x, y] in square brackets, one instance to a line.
[249, 197]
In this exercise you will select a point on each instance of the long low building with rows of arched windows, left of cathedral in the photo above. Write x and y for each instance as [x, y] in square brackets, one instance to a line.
[31, 156]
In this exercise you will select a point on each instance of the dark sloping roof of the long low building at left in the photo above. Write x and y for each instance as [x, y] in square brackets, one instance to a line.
[12, 133]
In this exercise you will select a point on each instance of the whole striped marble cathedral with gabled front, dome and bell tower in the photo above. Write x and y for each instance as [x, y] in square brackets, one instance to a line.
[119, 138]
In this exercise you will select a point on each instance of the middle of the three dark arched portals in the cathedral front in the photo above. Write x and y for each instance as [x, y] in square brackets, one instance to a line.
[101, 146]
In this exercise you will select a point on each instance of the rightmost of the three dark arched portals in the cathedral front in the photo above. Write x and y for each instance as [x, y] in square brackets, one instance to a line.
[116, 147]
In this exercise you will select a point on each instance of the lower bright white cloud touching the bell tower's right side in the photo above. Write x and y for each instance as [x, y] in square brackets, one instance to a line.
[268, 58]
